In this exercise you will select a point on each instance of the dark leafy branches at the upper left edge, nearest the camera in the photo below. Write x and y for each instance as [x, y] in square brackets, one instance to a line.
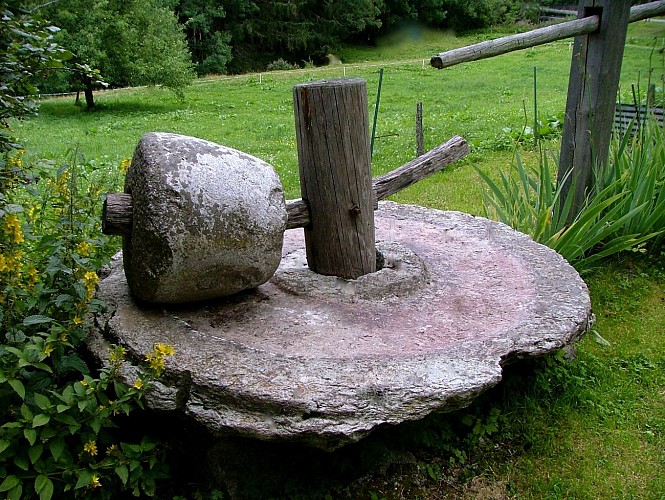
[26, 48]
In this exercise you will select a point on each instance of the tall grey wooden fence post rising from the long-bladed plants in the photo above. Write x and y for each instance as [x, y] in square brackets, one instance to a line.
[592, 89]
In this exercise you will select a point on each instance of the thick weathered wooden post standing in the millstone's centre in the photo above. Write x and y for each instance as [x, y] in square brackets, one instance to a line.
[332, 129]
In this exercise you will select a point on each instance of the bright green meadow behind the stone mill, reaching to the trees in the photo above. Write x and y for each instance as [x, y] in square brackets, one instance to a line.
[254, 113]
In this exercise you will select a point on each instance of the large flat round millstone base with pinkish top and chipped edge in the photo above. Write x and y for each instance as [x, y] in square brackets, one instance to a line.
[325, 360]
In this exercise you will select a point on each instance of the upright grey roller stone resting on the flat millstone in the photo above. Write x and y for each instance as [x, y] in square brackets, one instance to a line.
[208, 220]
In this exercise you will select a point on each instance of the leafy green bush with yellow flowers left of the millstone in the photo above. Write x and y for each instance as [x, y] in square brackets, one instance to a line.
[57, 418]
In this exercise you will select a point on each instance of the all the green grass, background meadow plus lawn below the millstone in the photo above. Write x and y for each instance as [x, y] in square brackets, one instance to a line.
[593, 427]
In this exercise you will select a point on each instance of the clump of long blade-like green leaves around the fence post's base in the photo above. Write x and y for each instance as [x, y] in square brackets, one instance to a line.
[624, 211]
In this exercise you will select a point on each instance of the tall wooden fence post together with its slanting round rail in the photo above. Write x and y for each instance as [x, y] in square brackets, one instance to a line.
[600, 37]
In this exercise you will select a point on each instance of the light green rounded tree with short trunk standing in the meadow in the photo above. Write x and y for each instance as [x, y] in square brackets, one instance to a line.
[130, 42]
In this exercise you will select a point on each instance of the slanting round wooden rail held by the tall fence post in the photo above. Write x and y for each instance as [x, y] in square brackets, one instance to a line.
[511, 43]
